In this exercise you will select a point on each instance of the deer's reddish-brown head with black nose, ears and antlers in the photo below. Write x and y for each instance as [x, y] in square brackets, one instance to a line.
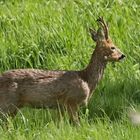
[107, 50]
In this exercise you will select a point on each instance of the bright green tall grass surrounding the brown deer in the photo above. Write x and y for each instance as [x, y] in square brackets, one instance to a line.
[53, 34]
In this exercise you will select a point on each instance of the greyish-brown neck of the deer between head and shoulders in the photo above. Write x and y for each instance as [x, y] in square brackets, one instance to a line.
[93, 73]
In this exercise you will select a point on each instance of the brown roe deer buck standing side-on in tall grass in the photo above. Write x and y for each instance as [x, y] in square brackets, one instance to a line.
[70, 89]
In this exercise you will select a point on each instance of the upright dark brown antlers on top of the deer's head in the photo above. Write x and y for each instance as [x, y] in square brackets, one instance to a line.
[104, 25]
